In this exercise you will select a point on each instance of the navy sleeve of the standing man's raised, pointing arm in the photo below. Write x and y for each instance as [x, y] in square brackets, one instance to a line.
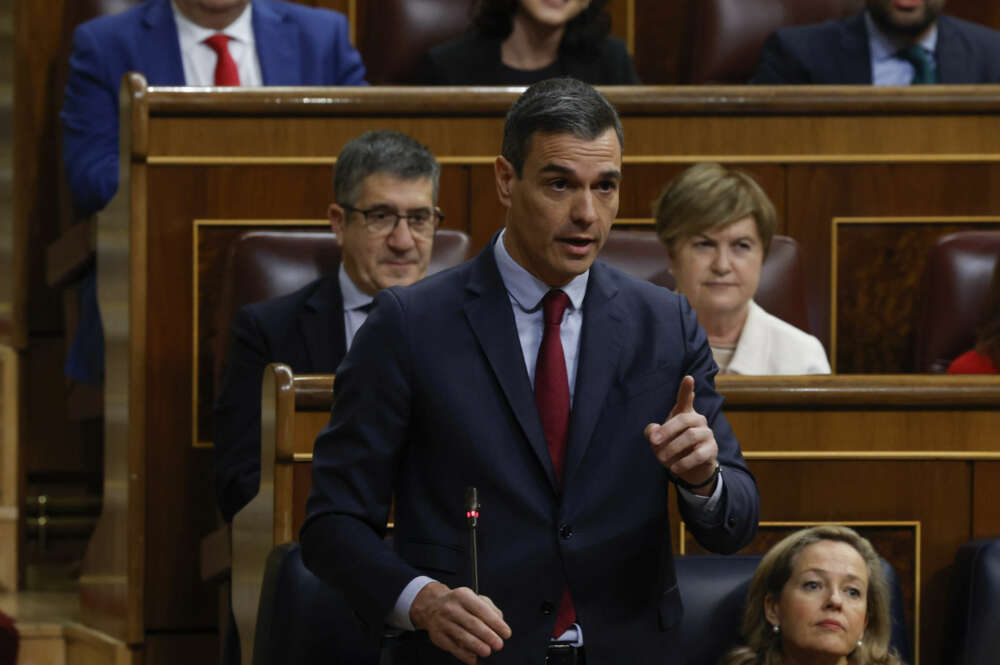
[733, 525]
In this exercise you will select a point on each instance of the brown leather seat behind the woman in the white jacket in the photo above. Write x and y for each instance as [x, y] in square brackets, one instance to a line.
[781, 290]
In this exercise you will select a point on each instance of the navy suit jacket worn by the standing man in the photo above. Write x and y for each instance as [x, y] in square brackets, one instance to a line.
[433, 397]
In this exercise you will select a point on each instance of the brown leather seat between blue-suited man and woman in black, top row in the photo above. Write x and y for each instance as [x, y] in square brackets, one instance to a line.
[395, 33]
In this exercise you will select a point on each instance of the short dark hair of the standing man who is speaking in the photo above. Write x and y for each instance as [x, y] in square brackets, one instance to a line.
[560, 106]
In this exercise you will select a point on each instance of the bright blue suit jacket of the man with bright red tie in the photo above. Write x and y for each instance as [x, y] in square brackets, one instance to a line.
[296, 45]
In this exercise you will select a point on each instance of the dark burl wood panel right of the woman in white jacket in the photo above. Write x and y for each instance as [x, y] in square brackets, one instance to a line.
[879, 267]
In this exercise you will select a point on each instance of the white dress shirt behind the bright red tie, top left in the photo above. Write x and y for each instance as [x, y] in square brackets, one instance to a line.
[199, 59]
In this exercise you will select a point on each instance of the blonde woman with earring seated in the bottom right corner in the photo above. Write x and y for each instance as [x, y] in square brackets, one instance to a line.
[819, 597]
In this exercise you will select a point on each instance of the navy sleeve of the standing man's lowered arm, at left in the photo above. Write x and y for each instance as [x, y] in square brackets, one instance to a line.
[353, 468]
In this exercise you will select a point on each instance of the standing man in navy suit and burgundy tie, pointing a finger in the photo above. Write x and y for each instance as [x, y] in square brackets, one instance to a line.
[548, 382]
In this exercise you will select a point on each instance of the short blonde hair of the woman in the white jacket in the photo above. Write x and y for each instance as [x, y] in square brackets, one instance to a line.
[708, 196]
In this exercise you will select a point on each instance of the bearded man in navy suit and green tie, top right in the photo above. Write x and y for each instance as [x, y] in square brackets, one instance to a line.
[892, 42]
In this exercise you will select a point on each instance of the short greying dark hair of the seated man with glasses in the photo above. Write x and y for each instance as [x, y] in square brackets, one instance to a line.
[381, 151]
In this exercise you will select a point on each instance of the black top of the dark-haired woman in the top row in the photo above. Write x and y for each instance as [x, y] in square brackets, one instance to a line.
[475, 60]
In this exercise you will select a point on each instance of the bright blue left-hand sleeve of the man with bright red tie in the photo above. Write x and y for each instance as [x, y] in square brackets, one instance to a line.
[90, 125]
